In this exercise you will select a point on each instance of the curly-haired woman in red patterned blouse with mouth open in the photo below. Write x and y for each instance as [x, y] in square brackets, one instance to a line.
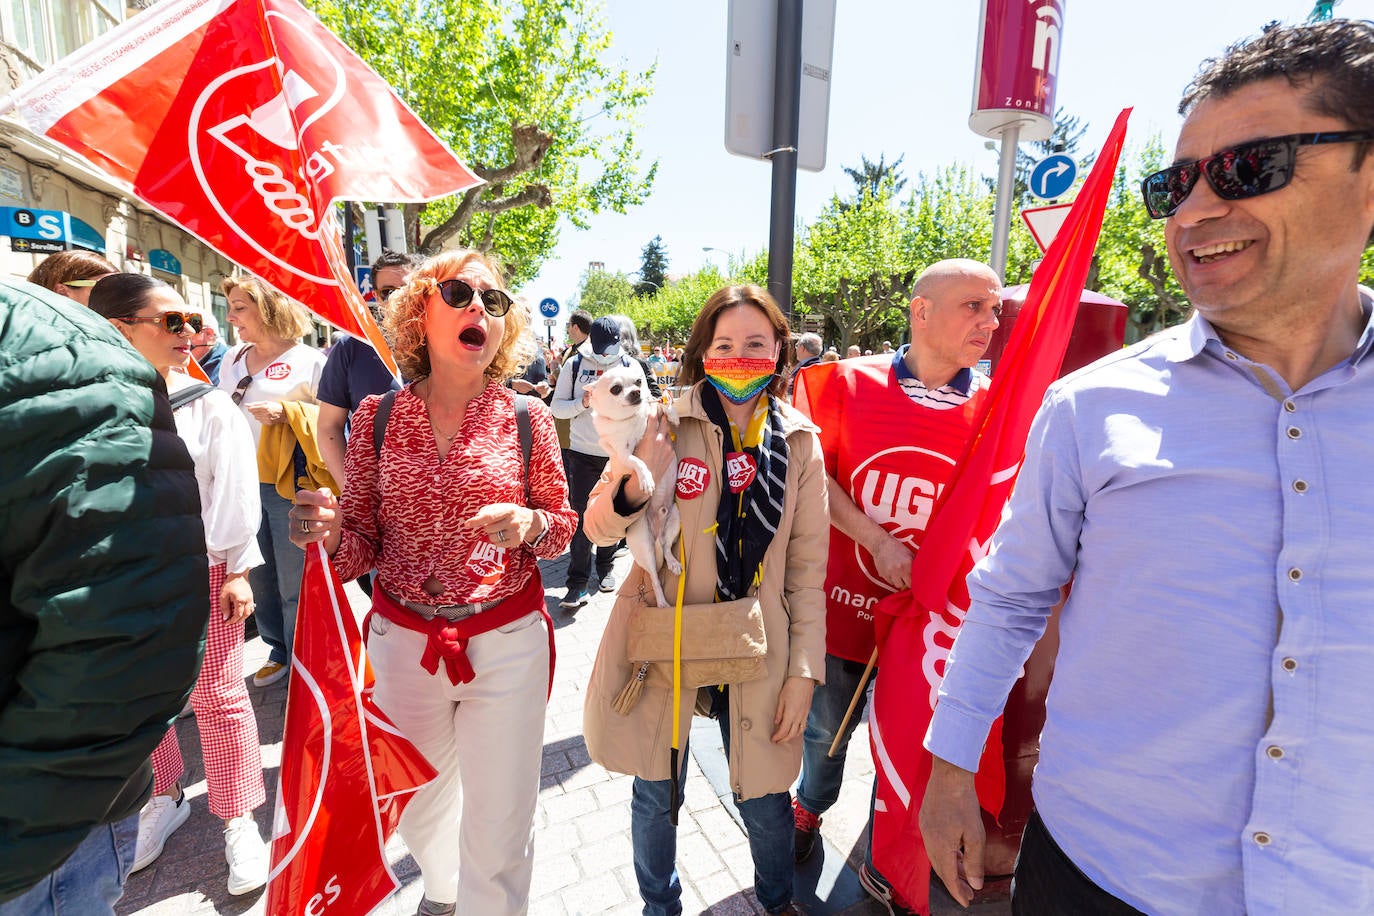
[454, 518]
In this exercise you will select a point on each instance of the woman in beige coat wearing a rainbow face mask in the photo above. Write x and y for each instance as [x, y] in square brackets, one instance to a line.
[755, 566]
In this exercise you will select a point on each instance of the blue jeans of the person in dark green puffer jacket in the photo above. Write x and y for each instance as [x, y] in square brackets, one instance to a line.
[90, 882]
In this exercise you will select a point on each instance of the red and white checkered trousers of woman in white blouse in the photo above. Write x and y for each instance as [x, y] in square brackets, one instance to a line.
[225, 716]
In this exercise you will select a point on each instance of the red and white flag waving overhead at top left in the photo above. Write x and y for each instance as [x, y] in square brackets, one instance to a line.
[243, 122]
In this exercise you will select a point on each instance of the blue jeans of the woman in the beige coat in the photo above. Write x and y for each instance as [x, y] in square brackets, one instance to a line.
[767, 823]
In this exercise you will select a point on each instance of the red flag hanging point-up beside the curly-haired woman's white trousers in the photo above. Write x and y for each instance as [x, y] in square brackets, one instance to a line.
[347, 772]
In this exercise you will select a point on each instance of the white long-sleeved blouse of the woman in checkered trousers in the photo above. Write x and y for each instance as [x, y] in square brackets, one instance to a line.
[226, 473]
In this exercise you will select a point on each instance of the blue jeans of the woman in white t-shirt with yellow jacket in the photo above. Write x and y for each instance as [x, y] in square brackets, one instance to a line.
[277, 584]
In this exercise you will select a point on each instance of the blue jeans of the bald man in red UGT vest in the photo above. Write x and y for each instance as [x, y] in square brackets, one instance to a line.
[821, 774]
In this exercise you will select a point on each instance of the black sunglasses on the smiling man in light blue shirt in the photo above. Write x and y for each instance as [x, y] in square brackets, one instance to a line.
[1244, 171]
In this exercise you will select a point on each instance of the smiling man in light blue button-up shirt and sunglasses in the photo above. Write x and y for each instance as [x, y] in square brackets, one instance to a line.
[1208, 745]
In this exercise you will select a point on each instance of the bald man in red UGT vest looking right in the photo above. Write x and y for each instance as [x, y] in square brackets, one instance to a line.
[870, 411]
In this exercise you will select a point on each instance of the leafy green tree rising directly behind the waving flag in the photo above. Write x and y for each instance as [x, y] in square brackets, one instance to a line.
[526, 94]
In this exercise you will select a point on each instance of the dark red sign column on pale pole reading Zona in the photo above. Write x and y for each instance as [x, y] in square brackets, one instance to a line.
[1013, 91]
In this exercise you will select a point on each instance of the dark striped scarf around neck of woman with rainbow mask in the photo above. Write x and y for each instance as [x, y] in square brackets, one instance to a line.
[747, 523]
